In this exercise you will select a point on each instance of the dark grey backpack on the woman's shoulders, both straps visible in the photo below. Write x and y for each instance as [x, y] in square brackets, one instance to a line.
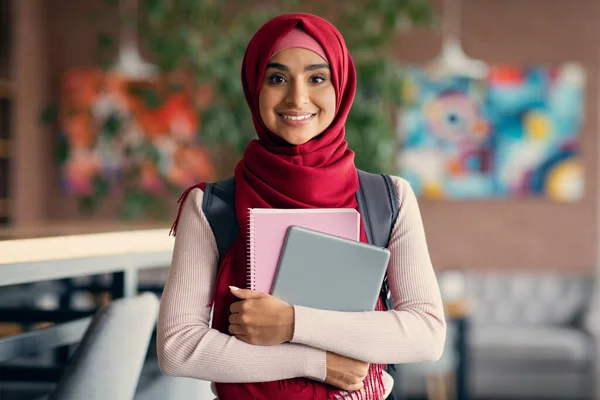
[376, 197]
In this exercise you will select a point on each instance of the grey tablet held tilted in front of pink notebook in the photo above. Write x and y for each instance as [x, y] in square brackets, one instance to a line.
[330, 273]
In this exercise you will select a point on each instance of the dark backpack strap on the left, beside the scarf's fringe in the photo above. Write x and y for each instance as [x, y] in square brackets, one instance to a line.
[218, 205]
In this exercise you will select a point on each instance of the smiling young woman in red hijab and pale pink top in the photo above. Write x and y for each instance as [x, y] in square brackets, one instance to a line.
[299, 82]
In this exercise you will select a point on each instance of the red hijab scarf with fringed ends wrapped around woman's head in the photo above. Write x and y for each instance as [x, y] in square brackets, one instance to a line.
[274, 174]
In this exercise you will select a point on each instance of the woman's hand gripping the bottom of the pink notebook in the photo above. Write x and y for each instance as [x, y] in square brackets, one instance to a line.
[260, 318]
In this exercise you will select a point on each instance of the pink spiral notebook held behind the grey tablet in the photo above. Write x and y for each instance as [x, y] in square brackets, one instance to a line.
[268, 229]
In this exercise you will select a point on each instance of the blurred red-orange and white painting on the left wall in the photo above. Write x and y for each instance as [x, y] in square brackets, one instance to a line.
[139, 138]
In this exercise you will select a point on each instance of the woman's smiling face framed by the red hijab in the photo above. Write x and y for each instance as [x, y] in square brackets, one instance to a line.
[297, 98]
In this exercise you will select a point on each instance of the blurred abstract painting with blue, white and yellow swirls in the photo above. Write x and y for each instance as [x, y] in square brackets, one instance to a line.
[515, 134]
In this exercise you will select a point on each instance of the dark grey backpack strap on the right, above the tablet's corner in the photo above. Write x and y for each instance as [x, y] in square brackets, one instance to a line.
[378, 202]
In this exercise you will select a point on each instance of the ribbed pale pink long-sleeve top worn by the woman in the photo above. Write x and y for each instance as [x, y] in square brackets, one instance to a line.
[414, 331]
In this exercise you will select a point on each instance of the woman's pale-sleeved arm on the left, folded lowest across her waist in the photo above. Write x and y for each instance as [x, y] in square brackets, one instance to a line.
[186, 344]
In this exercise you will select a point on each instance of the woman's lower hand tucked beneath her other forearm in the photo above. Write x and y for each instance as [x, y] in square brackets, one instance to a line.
[346, 373]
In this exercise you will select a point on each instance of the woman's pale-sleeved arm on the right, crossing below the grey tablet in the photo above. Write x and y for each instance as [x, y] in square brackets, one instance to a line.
[414, 331]
